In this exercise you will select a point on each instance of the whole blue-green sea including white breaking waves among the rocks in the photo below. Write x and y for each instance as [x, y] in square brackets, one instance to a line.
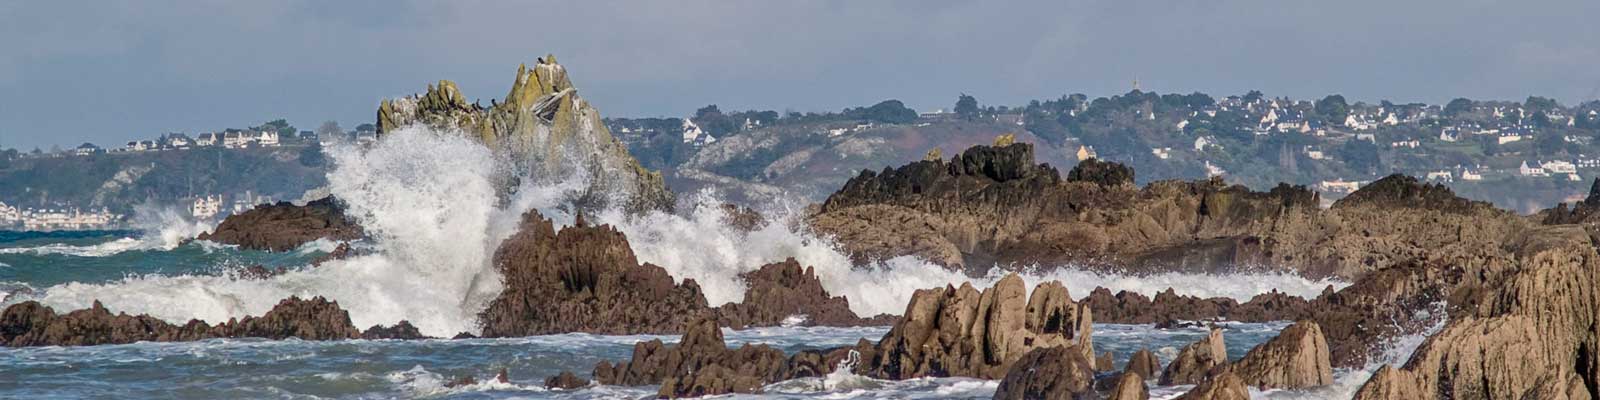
[434, 215]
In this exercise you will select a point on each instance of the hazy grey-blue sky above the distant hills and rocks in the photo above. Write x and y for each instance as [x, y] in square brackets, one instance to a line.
[116, 71]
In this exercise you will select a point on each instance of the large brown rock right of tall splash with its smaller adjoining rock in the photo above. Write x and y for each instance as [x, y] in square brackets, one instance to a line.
[586, 279]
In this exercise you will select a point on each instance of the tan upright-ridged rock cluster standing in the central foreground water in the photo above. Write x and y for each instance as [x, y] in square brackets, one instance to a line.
[961, 332]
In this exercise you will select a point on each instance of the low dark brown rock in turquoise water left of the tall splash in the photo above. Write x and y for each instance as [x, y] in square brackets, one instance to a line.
[286, 226]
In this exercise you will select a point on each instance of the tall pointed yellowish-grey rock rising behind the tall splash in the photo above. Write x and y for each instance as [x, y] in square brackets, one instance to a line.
[546, 129]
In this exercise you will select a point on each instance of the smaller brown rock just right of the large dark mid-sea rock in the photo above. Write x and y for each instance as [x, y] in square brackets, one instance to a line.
[786, 289]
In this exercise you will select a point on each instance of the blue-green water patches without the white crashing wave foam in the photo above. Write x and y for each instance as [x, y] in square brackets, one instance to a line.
[250, 369]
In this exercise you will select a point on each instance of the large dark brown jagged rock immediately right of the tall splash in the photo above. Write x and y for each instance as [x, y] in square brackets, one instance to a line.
[583, 279]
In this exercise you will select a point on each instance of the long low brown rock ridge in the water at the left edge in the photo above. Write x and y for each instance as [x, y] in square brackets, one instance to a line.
[33, 324]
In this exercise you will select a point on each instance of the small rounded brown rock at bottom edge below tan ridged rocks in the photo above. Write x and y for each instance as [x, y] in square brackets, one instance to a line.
[1049, 374]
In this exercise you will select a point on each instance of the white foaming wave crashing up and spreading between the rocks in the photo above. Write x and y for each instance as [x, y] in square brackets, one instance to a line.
[431, 207]
